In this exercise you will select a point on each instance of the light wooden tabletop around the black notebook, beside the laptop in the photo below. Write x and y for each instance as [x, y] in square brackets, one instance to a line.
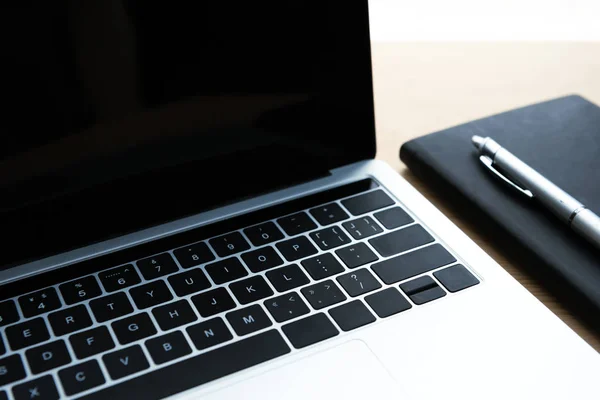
[424, 87]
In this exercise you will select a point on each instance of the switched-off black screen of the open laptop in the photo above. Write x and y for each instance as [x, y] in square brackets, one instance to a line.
[123, 114]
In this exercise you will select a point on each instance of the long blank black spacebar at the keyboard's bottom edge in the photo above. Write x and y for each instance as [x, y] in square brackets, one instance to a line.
[198, 370]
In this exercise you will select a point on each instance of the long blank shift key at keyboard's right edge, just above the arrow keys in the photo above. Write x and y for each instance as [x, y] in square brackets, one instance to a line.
[411, 264]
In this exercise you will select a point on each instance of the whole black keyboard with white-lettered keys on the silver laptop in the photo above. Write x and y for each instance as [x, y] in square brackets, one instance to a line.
[171, 321]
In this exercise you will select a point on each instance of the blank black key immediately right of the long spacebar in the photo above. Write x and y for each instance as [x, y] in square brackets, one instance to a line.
[310, 330]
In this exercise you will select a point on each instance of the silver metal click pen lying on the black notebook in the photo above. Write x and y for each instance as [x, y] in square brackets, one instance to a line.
[529, 182]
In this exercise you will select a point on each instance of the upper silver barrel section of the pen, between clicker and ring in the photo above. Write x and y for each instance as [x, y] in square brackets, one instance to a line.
[559, 202]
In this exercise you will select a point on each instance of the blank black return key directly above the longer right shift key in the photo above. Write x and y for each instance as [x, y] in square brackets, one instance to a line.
[401, 240]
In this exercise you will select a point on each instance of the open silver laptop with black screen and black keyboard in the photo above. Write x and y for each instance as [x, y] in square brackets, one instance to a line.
[191, 209]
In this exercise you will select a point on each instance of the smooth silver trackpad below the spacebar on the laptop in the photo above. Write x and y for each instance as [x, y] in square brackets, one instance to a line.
[350, 371]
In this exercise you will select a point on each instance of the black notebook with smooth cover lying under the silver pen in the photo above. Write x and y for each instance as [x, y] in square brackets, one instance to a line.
[561, 140]
